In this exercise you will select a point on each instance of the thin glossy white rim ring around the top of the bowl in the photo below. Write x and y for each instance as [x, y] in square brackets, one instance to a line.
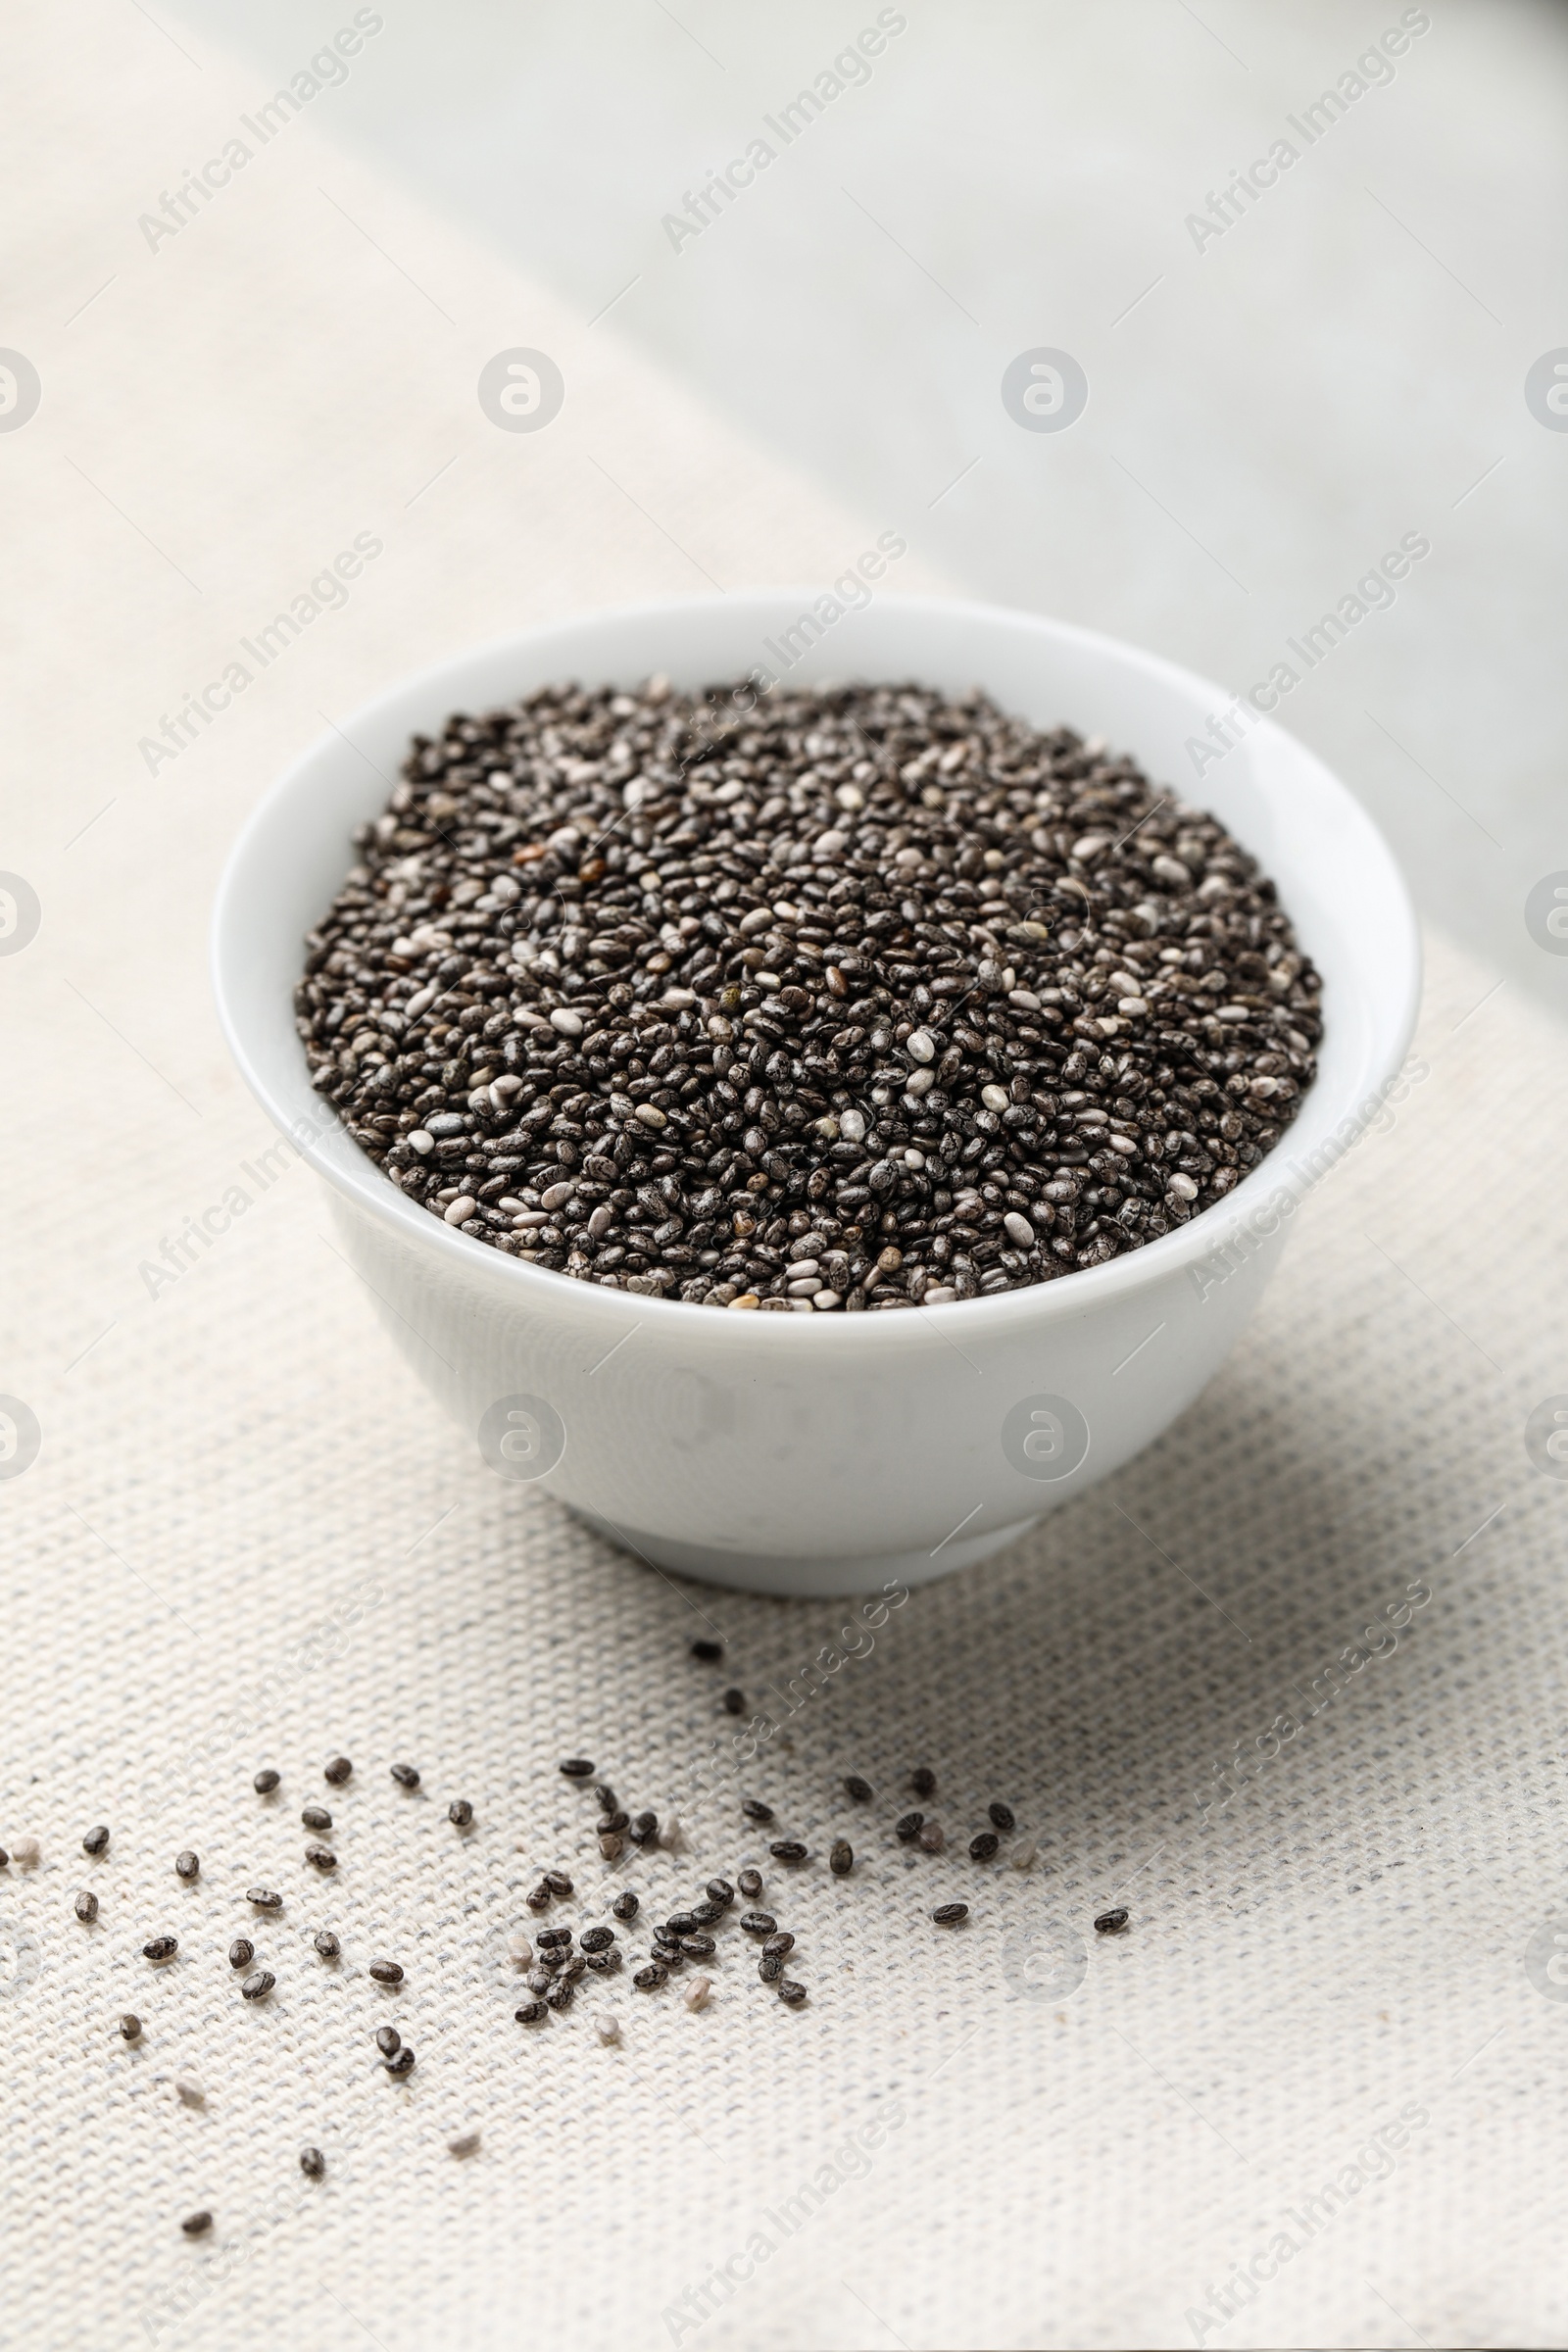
[354, 1175]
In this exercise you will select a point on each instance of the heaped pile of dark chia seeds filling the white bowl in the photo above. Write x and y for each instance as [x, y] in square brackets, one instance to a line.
[857, 1001]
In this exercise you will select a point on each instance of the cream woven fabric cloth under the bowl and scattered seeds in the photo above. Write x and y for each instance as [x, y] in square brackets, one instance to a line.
[1315, 2094]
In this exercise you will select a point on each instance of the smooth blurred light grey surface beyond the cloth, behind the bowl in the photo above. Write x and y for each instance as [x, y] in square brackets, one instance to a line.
[1271, 408]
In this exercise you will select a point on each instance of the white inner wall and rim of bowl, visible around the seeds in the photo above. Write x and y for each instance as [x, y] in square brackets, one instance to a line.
[1334, 871]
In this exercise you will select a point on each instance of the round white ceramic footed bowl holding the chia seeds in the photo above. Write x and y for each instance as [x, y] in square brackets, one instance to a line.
[826, 1452]
